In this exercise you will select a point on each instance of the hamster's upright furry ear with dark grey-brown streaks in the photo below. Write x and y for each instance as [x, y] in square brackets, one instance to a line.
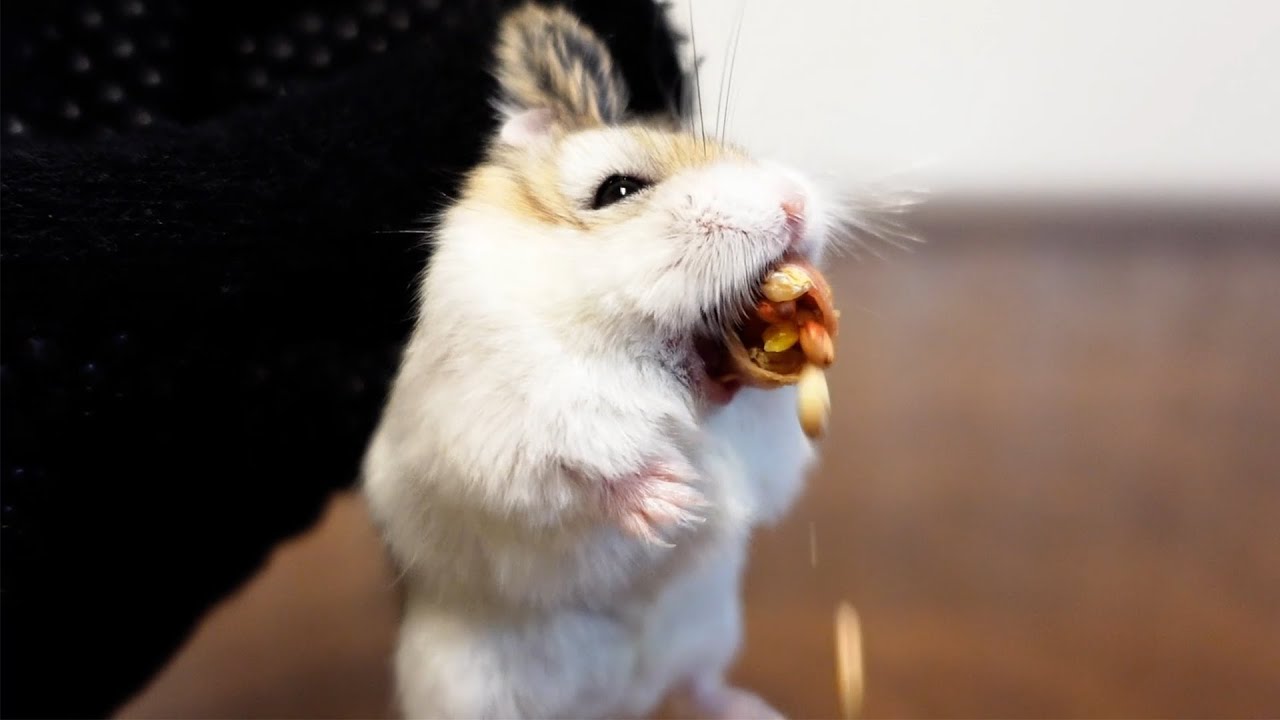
[550, 61]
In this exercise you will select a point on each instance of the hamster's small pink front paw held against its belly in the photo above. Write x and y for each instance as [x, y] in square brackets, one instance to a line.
[660, 496]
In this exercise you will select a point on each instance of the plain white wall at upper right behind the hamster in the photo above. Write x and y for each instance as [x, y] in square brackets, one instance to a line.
[1164, 98]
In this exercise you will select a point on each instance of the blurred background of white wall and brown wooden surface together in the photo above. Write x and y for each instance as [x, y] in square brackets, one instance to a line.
[1053, 481]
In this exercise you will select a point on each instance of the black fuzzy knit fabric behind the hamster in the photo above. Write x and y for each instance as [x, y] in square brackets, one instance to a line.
[208, 274]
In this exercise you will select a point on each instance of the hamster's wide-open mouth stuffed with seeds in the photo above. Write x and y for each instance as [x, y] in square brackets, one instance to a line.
[790, 326]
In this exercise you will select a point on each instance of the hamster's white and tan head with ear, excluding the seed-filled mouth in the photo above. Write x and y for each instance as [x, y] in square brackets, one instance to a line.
[632, 226]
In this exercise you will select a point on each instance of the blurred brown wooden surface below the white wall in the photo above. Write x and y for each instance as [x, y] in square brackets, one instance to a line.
[1052, 490]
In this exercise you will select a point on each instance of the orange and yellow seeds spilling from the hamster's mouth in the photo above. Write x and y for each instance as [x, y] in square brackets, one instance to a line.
[788, 339]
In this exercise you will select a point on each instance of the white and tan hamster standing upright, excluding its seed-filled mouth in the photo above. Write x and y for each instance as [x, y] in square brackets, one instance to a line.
[568, 495]
